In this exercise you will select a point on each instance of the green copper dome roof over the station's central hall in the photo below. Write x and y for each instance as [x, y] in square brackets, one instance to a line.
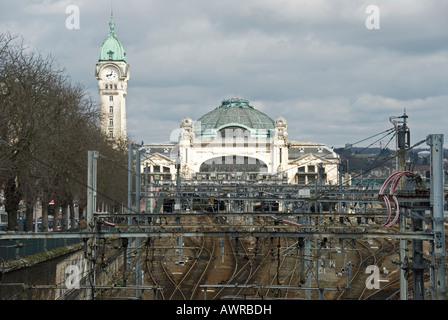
[235, 112]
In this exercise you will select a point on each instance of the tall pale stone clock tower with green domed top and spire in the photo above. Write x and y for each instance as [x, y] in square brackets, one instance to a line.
[112, 73]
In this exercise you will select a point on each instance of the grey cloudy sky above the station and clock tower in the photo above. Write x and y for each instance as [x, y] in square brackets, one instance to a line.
[314, 62]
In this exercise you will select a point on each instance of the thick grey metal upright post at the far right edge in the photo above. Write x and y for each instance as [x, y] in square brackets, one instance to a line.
[438, 287]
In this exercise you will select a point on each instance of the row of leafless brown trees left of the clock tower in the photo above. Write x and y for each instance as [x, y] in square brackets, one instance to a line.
[47, 125]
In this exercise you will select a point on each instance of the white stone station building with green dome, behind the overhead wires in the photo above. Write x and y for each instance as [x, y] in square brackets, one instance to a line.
[236, 141]
